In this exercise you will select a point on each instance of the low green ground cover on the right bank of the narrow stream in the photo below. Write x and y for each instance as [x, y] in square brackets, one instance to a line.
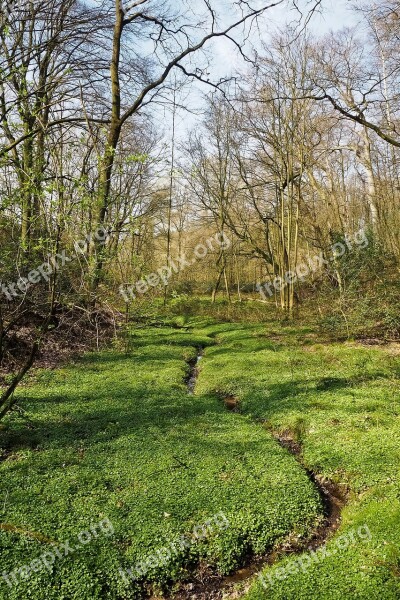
[342, 403]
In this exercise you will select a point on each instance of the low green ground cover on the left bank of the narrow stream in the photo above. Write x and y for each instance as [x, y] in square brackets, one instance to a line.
[116, 436]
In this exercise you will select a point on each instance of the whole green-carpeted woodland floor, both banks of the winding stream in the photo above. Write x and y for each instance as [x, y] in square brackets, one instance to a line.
[119, 435]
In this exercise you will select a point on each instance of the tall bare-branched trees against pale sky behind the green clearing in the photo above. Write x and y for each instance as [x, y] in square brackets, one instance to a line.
[291, 156]
